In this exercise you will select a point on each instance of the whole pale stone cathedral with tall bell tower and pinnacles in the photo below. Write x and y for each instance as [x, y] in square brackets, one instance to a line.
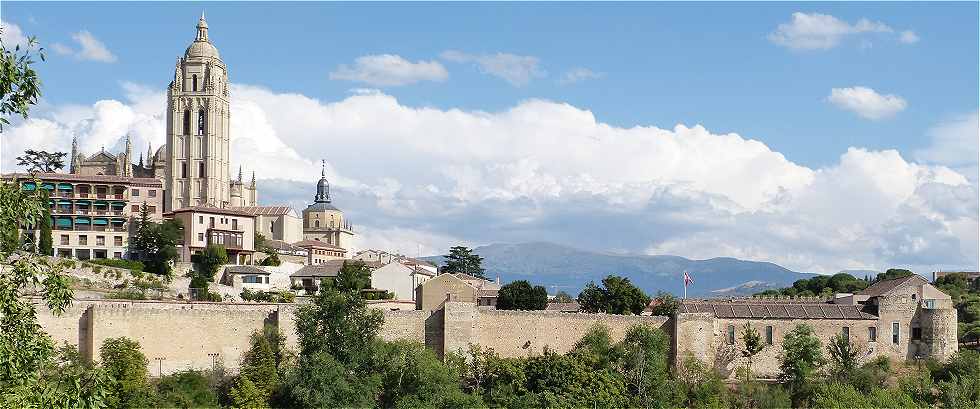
[194, 163]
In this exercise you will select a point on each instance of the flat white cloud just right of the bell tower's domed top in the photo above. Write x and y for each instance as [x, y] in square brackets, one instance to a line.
[390, 70]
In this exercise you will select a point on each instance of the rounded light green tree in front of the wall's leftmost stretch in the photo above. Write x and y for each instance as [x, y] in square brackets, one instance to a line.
[125, 362]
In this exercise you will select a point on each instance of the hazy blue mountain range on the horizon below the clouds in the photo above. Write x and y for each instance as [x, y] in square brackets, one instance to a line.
[565, 268]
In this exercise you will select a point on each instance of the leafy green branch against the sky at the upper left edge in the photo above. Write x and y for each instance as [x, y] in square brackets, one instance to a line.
[20, 86]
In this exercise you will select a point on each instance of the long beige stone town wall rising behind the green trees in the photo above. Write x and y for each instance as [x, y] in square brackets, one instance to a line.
[179, 335]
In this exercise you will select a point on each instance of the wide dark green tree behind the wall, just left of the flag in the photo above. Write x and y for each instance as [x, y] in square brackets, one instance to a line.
[616, 296]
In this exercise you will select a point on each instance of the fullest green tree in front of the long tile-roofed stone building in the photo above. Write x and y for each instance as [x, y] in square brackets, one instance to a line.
[800, 360]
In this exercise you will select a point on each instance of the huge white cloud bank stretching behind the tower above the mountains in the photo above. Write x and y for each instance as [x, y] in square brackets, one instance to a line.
[544, 170]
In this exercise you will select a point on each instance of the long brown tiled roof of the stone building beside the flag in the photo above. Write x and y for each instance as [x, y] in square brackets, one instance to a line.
[726, 309]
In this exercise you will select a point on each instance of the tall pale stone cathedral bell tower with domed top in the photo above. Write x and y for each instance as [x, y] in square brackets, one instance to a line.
[198, 142]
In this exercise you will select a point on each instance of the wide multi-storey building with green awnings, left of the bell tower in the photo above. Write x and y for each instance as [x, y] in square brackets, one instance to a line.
[93, 216]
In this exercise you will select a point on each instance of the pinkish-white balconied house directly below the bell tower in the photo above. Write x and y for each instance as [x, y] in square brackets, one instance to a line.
[204, 225]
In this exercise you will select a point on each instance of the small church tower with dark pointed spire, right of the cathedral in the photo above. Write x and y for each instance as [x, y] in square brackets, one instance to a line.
[324, 222]
